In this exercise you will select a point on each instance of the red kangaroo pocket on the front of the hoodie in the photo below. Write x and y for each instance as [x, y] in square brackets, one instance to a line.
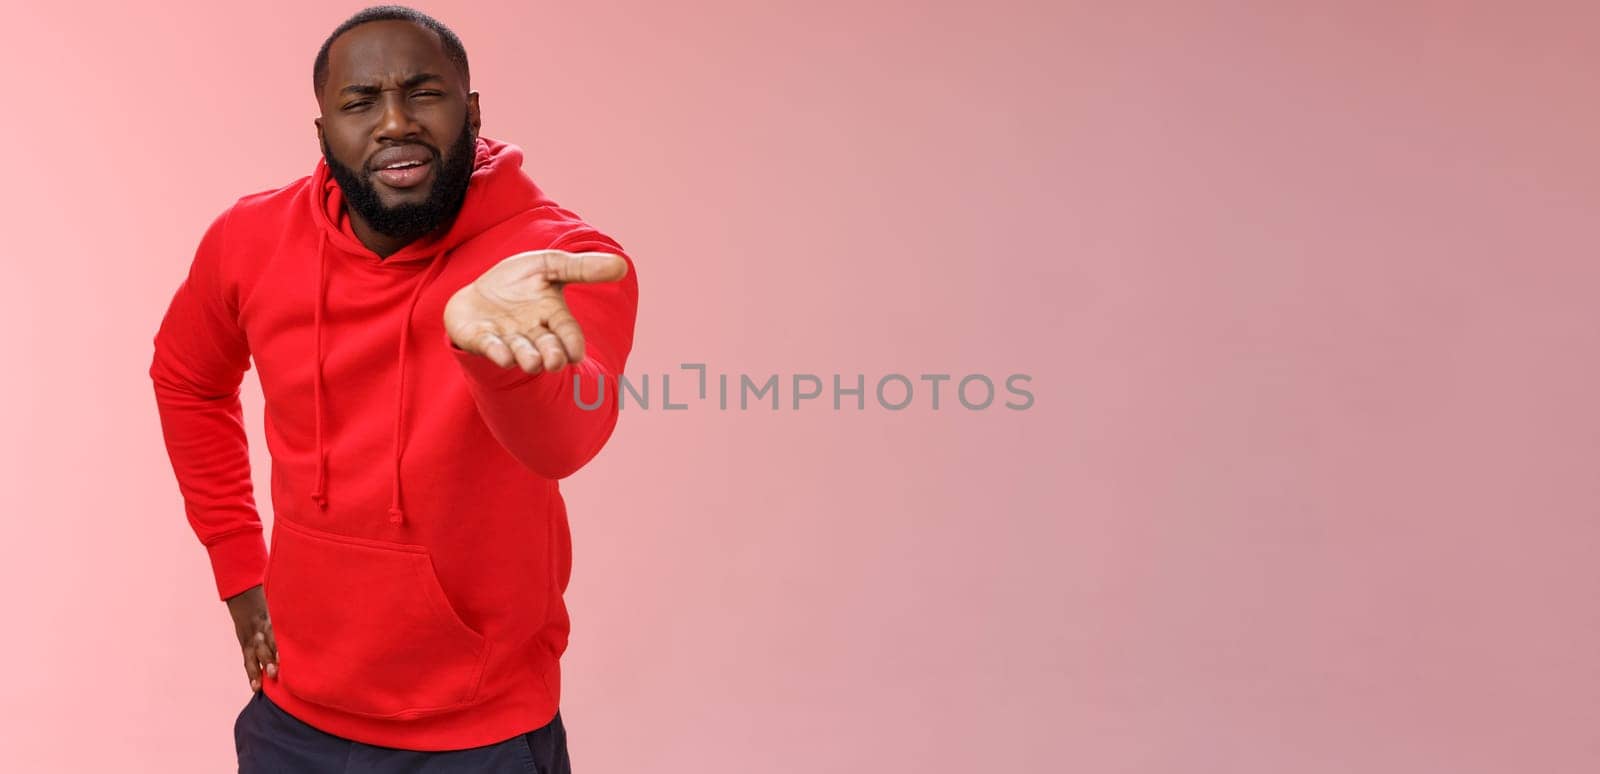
[366, 628]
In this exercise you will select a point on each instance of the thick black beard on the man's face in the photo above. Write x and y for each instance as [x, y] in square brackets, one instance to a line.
[410, 221]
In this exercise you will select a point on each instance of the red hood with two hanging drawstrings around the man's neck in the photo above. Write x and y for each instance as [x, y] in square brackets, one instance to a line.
[497, 193]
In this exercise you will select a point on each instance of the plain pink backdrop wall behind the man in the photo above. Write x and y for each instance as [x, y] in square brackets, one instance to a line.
[1308, 297]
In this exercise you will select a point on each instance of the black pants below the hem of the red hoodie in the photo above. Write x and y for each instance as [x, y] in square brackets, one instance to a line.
[271, 741]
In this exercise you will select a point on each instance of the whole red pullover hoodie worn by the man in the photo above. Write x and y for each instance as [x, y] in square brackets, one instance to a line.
[422, 546]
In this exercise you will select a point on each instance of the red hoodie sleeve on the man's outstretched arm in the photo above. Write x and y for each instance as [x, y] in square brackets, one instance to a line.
[537, 417]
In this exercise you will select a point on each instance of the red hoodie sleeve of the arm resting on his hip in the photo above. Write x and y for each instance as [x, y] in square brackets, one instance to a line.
[199, 364]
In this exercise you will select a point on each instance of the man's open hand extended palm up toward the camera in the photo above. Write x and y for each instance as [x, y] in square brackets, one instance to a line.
[516, 311]
